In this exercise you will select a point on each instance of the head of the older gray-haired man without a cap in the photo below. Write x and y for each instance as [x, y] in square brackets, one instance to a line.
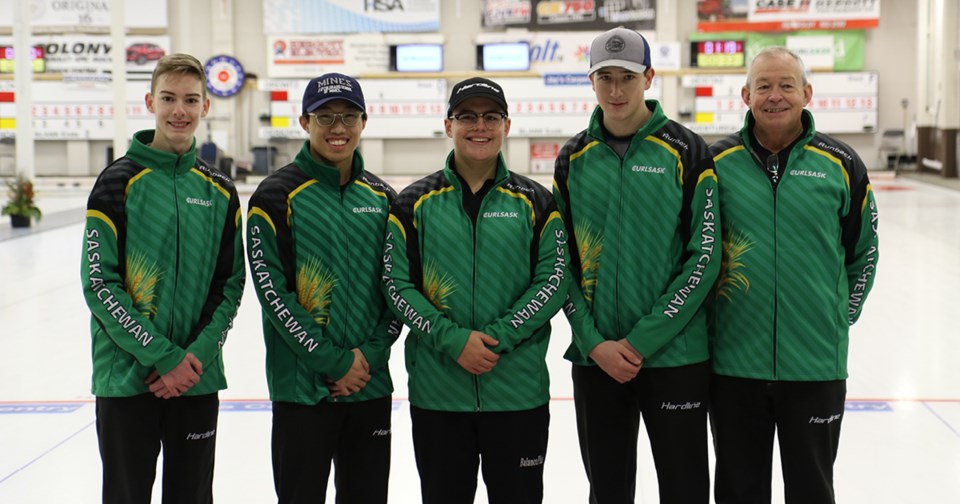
[776, 93]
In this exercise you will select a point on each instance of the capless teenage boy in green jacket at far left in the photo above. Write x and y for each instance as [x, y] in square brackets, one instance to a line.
[162, 274]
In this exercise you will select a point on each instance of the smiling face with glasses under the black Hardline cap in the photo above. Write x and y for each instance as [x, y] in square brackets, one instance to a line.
[481, 142]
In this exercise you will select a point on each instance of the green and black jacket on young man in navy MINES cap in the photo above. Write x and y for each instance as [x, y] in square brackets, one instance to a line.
[315, 257]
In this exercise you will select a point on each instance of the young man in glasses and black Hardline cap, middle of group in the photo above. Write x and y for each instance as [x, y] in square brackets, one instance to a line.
[475, 265]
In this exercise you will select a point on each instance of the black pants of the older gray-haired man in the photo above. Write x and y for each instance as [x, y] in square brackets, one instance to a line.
[806, 416]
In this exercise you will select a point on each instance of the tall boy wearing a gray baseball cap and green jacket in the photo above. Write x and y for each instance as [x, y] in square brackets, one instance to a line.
[637, 195]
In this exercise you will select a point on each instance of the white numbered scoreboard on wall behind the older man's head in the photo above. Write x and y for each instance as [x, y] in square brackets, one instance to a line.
[843, 102]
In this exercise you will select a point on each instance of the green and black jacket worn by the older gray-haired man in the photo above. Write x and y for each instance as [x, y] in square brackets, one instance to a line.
[799, 258]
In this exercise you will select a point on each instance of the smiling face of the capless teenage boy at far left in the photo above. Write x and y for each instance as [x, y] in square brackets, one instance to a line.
[179, 102]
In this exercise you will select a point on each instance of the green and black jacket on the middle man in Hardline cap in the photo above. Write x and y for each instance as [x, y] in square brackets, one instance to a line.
[504, 276]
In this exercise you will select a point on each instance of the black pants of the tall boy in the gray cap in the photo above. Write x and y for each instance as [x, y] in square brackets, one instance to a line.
[673, 404]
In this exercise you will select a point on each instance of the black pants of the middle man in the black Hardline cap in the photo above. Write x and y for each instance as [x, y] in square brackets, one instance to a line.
[512, 446]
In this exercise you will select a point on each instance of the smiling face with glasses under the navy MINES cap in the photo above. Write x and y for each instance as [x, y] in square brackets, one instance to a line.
[333, 145]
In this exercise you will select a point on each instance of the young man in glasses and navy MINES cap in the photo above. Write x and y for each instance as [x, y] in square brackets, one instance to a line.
[315, 237]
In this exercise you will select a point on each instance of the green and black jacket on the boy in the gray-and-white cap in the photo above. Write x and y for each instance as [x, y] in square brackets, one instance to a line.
[644, 240]
